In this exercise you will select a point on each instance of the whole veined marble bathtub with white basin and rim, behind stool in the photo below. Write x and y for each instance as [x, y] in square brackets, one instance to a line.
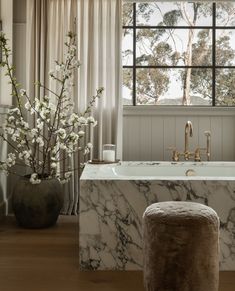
[113, 199]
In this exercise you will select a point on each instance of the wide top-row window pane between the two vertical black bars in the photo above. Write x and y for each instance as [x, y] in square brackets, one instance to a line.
[174, 14]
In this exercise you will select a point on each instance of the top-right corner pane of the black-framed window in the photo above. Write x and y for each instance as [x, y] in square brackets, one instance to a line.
[225, 14]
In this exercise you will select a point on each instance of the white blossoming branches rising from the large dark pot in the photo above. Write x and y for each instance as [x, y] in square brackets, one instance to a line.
[55, 125]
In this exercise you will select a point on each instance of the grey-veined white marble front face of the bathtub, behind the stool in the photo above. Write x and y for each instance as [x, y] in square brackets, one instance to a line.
[110, 233]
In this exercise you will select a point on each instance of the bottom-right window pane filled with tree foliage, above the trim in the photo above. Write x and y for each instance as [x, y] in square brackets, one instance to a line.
[225, 87]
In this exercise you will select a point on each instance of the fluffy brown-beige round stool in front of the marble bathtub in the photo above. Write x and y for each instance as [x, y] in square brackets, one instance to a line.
[181, 242]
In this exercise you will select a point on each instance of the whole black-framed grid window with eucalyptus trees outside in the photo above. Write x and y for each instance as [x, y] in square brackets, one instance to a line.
[179, 53]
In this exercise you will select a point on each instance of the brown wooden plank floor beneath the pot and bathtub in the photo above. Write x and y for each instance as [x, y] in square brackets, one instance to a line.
[47, 260]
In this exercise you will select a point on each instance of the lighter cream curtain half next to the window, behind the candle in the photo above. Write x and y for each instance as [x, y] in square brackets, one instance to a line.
[100, 35]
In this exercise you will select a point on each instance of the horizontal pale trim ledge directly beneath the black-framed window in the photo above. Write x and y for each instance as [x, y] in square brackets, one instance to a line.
[146, 110]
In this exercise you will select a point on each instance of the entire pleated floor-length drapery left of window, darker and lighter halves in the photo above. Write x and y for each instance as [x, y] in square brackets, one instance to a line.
[99, 50]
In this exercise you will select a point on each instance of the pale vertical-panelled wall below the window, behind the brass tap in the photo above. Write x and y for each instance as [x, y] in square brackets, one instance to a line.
[149, 131]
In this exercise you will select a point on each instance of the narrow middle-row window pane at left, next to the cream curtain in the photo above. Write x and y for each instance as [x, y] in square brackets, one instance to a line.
[127, 47]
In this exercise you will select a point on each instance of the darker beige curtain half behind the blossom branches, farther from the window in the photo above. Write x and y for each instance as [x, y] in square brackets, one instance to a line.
[48, 22]
